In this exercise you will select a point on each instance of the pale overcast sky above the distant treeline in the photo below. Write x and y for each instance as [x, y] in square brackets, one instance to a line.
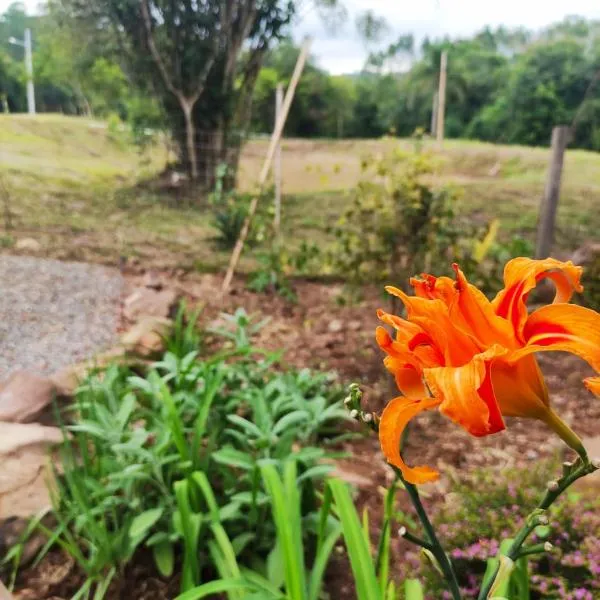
[343, 52]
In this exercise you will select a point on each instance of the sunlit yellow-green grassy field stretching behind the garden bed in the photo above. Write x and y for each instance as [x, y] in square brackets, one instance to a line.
[74, 185]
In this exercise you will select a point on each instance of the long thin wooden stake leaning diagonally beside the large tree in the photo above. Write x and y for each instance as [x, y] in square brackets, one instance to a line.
[239, 245]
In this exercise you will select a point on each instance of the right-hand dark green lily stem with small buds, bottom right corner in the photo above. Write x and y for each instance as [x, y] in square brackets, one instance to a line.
[580, 469]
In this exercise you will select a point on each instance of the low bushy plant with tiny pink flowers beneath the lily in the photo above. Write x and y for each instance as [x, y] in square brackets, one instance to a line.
[487, 505]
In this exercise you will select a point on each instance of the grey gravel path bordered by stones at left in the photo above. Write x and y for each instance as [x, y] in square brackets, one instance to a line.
[54, 313]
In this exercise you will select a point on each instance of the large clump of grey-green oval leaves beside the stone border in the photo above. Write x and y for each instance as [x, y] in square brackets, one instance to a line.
[135, 443]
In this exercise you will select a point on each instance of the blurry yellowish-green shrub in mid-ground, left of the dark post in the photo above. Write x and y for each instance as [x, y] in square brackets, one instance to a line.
[399, 223]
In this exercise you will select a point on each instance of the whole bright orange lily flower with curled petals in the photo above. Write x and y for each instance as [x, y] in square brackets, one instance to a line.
[474, 359]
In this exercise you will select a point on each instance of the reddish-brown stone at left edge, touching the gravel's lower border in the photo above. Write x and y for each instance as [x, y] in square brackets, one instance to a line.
[24, 395]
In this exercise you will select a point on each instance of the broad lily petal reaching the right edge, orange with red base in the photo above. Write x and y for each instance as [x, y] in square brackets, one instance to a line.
[563, 327]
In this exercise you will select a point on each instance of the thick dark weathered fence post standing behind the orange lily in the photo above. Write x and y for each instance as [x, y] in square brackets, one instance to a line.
[549, 204]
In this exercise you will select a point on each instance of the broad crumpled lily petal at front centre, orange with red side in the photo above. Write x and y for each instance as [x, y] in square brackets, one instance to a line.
[467, 393]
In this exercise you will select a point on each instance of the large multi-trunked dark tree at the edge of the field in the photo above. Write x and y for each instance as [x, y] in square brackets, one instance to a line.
[201, 59]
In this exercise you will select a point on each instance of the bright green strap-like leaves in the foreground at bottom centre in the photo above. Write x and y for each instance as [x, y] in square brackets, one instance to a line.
[292, 573]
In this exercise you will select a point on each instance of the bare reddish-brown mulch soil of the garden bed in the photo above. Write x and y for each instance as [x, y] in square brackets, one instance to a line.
[320, 332]
